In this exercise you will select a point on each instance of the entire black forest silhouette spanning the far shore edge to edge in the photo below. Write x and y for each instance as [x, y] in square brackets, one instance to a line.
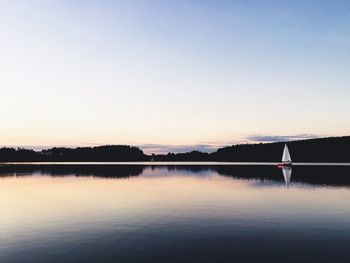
[332, 149]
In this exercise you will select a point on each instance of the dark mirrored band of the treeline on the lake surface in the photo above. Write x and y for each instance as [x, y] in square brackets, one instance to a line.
[314, 175]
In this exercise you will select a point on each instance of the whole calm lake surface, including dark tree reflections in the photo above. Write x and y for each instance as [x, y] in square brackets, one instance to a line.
[89, 213]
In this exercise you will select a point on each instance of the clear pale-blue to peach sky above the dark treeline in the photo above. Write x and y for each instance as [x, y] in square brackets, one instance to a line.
[172, 75]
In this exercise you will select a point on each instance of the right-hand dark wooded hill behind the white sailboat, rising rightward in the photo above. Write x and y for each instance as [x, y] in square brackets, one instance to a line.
[332, 149]
